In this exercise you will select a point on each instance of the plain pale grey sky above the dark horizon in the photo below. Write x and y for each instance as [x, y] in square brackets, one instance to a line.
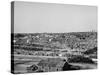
[32, 17]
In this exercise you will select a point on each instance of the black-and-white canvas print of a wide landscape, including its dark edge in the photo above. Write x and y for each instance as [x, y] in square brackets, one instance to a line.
[51, 37]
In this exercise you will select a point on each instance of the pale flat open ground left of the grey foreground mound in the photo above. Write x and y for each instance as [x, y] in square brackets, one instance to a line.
[21, 62]
